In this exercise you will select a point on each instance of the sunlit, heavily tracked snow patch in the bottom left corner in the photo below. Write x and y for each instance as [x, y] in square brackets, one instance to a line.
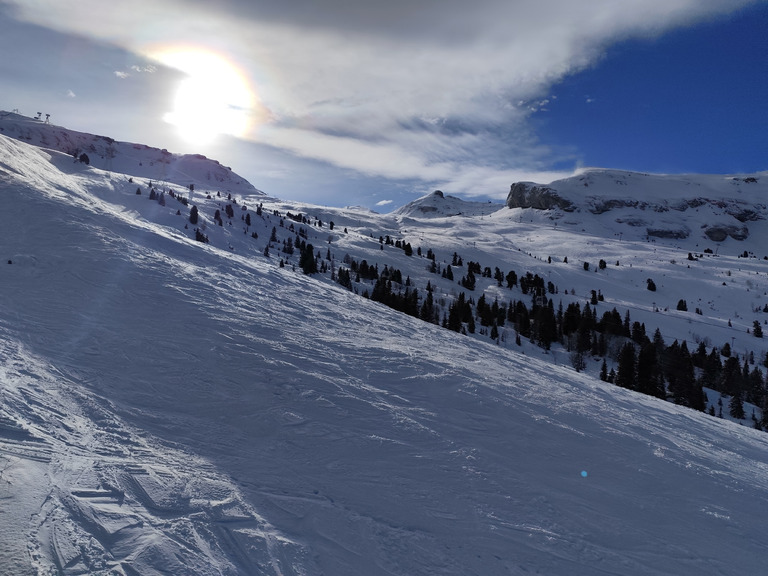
[111, 501]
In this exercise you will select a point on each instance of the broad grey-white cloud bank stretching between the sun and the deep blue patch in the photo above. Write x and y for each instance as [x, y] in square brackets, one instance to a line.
[436, 90]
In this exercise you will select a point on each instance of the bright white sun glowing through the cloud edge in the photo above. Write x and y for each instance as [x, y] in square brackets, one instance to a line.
[214, 99]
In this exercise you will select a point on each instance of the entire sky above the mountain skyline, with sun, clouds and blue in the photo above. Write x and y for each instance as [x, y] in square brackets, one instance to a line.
[342, 102]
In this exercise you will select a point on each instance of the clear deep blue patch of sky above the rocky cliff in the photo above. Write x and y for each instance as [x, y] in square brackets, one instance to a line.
[692, 100]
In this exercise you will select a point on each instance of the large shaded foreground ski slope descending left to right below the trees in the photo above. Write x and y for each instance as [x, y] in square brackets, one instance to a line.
[167, 405]
